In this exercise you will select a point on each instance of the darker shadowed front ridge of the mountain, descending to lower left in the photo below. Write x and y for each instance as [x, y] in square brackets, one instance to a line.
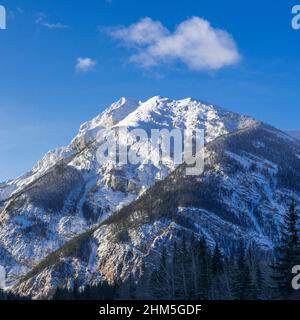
[249, 180]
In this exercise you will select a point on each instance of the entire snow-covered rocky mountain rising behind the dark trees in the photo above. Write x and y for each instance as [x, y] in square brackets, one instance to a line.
[59, 204]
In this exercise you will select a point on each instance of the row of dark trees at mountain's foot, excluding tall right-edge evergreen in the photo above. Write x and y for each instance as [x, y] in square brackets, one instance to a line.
[190, 270]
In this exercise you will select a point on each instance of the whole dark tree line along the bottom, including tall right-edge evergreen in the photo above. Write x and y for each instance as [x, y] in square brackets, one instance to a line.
[194, 270]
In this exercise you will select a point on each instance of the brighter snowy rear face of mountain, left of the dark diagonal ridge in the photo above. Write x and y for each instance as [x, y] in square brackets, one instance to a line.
[68, 191]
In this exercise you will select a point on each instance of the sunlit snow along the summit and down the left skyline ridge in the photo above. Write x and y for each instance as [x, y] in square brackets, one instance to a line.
[156, 112]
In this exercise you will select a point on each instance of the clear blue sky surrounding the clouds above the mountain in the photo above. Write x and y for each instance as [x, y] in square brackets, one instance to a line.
[44, 98]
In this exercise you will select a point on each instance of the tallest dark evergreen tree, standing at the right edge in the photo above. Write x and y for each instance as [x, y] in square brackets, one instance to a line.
[287, 255]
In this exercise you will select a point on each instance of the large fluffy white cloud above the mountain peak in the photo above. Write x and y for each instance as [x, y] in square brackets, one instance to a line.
[194, 42]
